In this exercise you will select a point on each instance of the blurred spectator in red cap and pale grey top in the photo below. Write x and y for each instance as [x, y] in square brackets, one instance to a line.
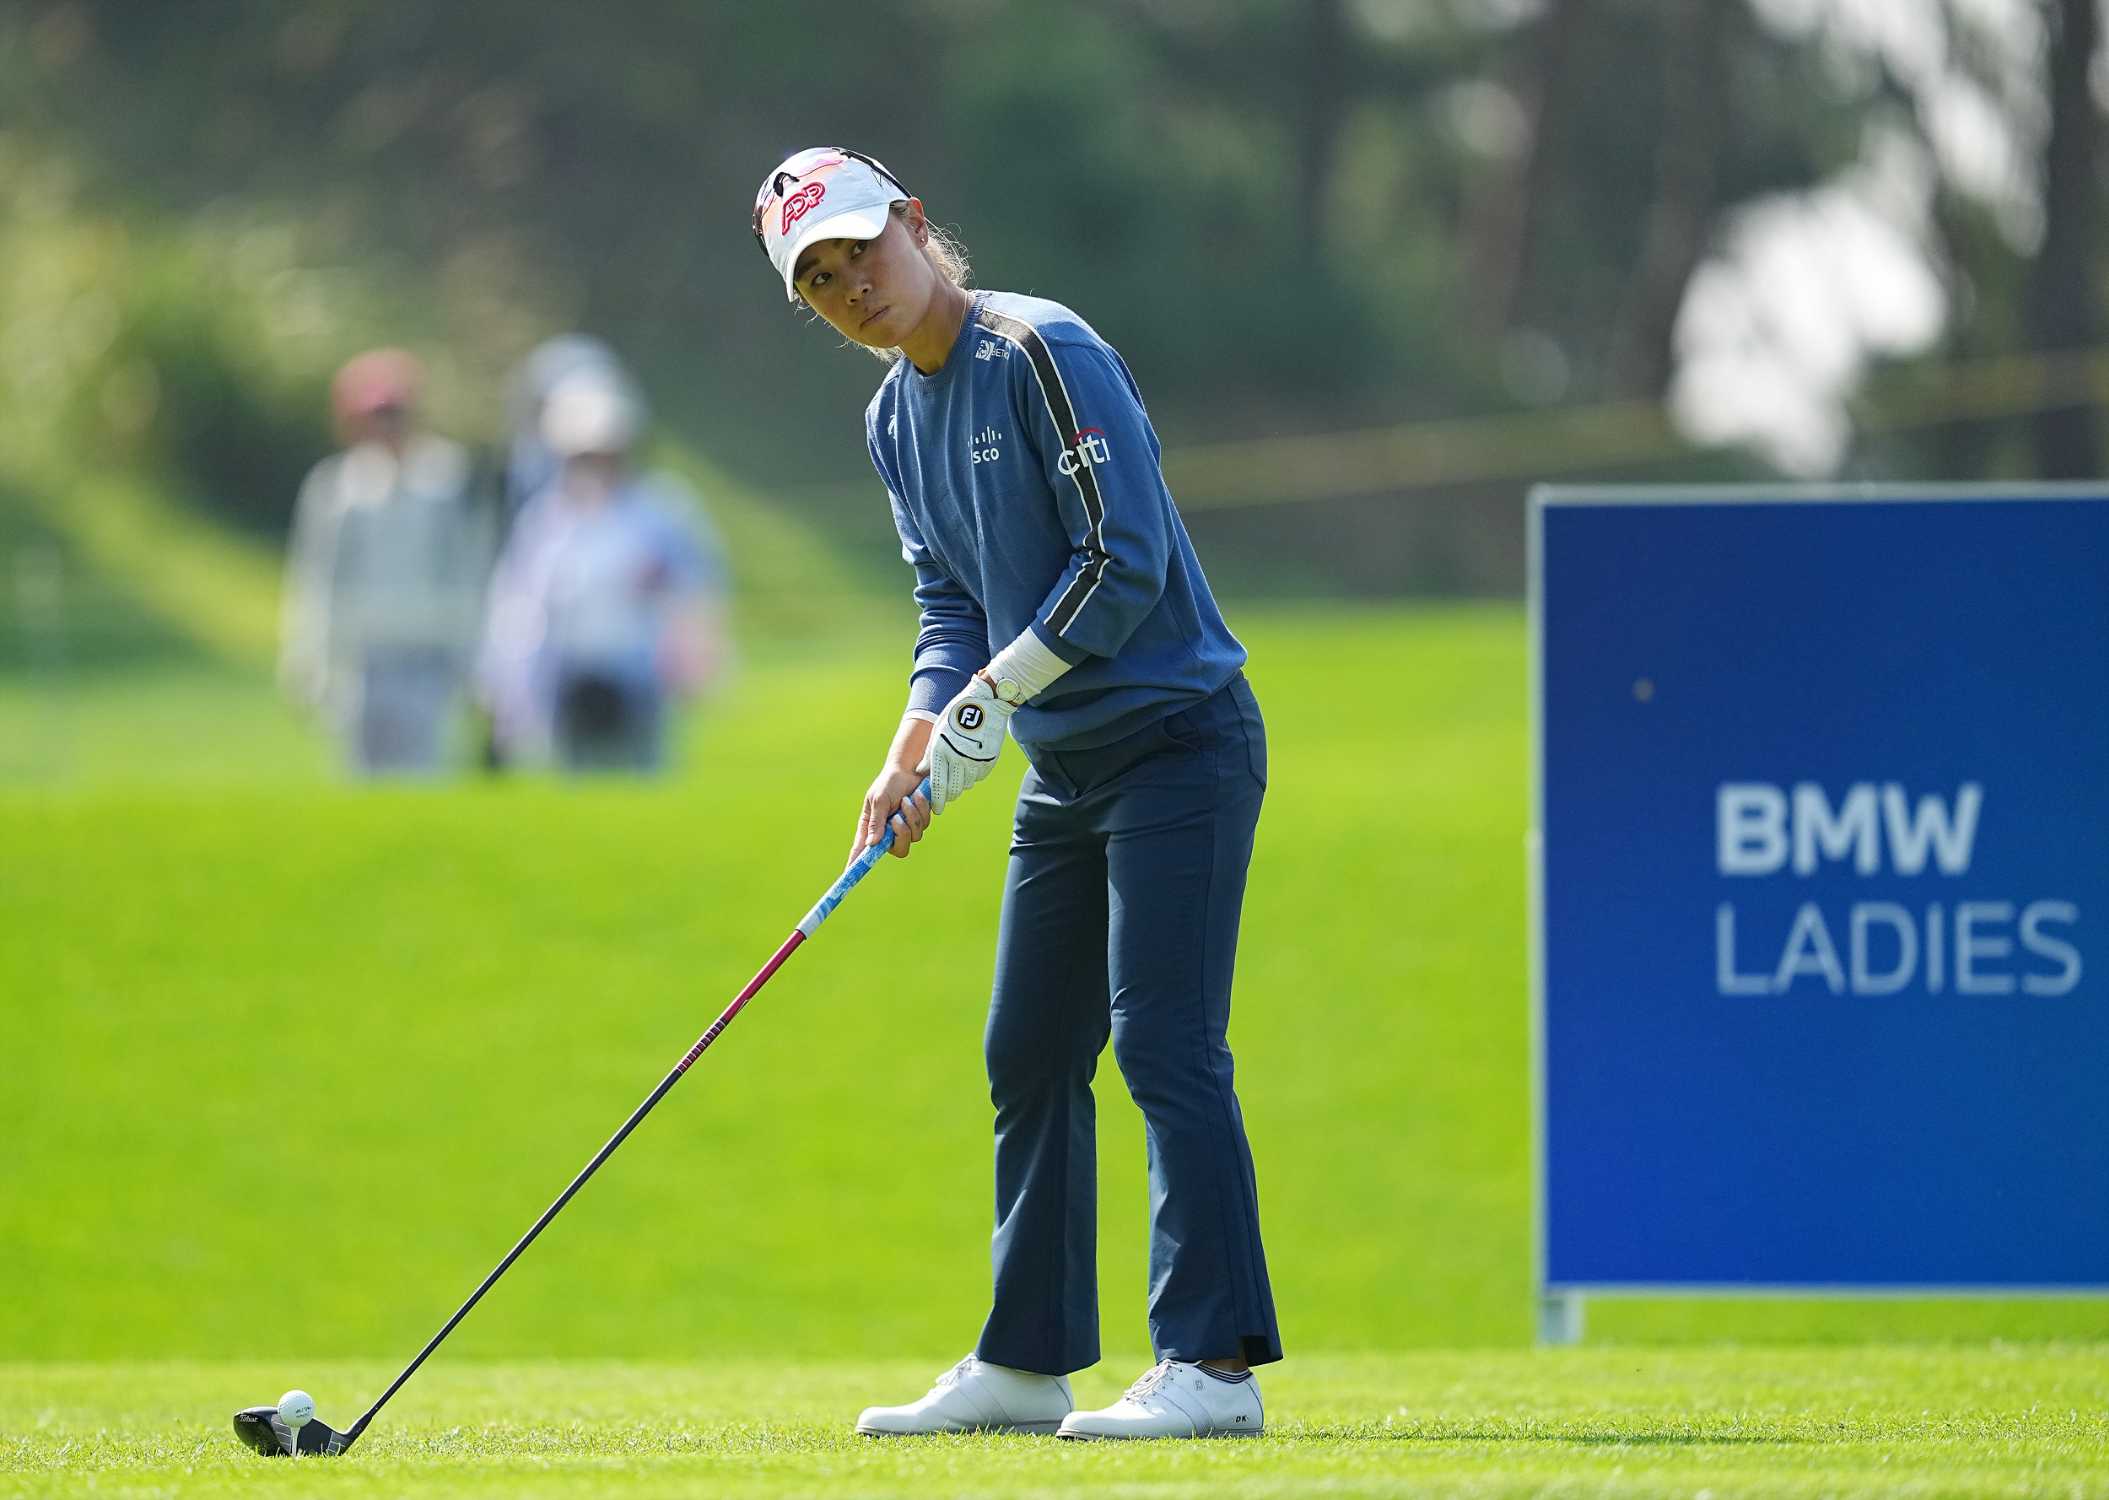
[385, 577]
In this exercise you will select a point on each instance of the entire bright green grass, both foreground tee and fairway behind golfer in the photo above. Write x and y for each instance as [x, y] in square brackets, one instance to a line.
[292, 1064]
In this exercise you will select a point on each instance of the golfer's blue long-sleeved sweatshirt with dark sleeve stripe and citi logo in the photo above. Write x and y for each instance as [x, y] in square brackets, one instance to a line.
[1028, 495]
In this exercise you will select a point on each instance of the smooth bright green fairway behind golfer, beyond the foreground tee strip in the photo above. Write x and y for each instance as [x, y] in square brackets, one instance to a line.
[273, 1018]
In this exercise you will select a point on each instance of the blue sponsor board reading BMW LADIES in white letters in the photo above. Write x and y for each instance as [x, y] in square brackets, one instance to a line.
[1823, 889]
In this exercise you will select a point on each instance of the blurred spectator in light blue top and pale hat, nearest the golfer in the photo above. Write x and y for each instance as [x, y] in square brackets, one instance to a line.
[608, 598]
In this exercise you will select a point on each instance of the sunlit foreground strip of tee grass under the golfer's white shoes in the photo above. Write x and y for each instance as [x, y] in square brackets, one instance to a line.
[1591, 1423]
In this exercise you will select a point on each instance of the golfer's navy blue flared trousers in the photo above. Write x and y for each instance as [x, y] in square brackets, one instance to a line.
[1121, 921]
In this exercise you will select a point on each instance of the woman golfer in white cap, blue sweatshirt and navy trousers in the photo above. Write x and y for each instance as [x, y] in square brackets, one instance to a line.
[1062, 600]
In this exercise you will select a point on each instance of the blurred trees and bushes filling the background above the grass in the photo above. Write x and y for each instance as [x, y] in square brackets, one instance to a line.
[1357, 252]
